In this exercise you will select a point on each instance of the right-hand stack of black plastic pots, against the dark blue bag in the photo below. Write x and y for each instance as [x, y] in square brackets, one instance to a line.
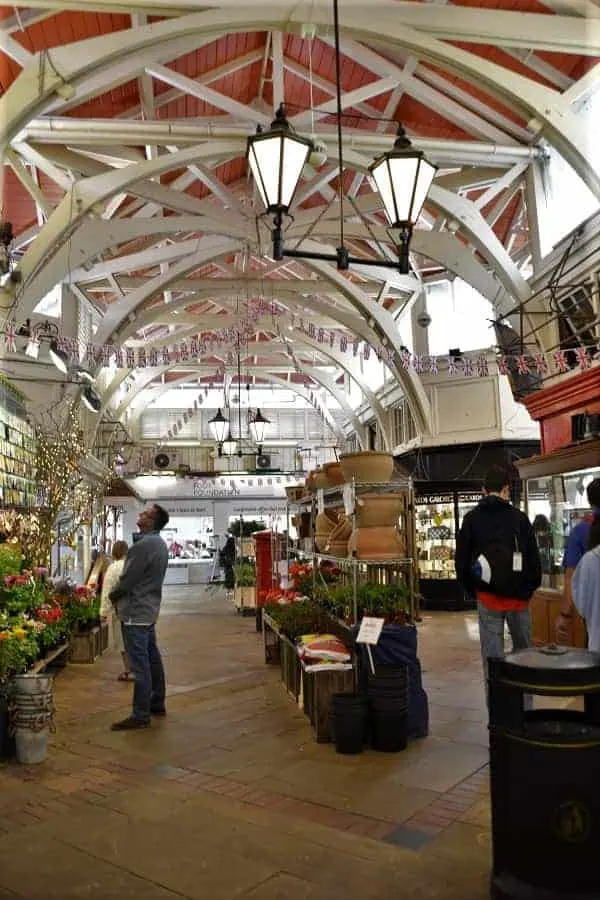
[387, 692]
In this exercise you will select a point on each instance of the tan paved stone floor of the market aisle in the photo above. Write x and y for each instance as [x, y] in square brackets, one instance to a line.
[230, 796]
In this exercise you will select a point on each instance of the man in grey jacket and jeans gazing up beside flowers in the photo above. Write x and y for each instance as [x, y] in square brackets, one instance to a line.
[138, 595]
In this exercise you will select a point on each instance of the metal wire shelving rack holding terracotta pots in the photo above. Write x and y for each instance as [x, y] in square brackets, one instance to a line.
[382, 571]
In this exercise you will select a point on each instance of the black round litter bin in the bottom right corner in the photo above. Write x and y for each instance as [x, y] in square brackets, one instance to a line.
[545, 776]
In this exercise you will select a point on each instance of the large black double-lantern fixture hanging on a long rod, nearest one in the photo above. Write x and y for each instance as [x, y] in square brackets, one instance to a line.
[402, 176]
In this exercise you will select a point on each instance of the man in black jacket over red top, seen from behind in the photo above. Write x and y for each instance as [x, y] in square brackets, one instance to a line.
[498, 562]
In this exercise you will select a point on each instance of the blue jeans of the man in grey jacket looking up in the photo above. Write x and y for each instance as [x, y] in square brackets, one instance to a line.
[147, 668]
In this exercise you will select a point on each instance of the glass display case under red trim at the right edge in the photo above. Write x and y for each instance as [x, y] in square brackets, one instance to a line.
[554, 504]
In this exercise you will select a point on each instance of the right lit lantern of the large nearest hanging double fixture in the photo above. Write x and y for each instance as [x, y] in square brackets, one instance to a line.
[403, 177]
